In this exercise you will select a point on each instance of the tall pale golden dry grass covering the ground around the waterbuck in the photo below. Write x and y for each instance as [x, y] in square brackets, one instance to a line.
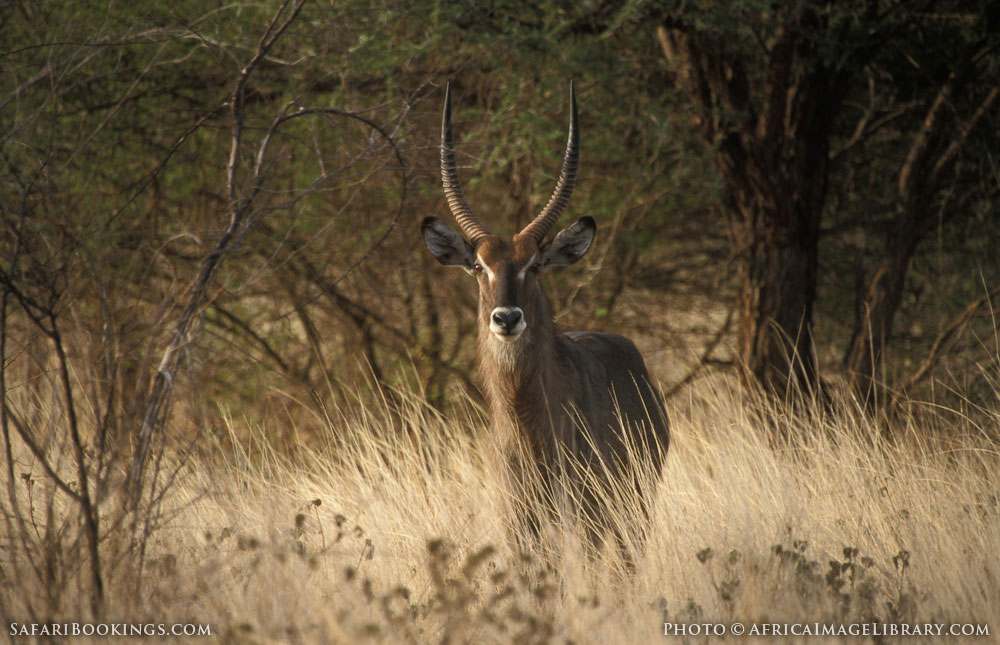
[391, 537]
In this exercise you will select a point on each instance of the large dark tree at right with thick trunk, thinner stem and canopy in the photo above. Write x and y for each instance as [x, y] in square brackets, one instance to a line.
[775, 89]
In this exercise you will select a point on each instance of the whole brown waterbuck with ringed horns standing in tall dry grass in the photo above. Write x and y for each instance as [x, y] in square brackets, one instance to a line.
[573, 415]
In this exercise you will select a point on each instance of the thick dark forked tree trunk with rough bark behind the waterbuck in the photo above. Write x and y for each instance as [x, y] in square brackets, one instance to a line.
[771, 135]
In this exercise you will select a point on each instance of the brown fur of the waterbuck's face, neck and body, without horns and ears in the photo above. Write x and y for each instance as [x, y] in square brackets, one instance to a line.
[547, 389]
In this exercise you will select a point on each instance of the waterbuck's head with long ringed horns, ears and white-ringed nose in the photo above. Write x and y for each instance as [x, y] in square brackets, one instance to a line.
[511, 302]
